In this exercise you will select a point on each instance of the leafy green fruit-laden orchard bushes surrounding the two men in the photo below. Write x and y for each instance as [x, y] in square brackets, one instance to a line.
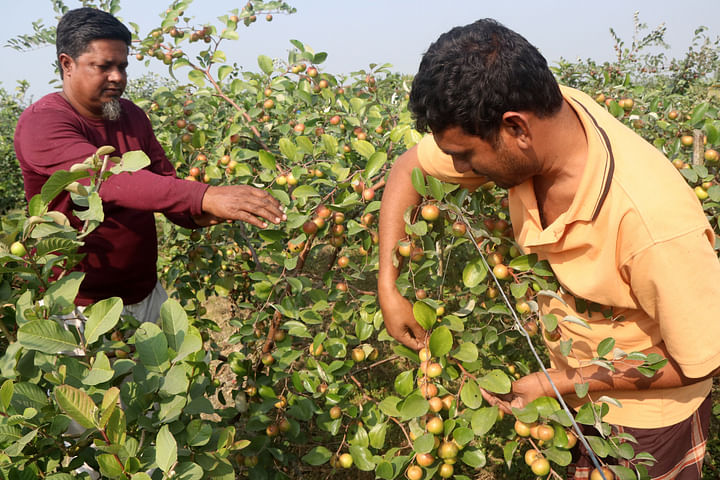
[317, 386]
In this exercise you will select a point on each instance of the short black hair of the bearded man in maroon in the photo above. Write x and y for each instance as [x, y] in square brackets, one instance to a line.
[78, 27]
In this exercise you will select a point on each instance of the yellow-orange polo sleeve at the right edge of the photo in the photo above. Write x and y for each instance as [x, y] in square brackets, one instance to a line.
[677, 282]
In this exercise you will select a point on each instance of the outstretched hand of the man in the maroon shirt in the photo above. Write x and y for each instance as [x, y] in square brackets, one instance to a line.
[239, 202]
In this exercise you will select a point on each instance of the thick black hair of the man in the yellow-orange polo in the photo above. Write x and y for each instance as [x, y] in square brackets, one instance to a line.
[472, 75]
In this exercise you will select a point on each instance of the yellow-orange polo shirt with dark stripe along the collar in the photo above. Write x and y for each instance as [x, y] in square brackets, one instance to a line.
[635, 241]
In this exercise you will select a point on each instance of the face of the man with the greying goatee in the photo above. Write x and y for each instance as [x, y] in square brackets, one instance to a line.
[95, 80]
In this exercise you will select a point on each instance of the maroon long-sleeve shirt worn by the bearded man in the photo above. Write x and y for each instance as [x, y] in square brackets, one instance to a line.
[121, 254]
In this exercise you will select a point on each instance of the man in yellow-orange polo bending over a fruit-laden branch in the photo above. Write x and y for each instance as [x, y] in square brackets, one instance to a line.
[615, 220]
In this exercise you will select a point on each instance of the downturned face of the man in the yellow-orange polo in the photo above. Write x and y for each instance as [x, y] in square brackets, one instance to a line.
[495, 162]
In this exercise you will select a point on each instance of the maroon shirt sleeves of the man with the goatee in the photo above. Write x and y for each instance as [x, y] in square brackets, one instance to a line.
[155, 188]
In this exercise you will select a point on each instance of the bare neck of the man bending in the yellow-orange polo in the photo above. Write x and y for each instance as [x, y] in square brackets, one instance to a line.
[564, 155]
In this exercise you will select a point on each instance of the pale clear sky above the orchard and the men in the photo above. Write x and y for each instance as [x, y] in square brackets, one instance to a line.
[357, 33]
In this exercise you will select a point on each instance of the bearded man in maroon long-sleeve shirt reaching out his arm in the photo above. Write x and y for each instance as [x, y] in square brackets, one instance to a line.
[65, 128]
